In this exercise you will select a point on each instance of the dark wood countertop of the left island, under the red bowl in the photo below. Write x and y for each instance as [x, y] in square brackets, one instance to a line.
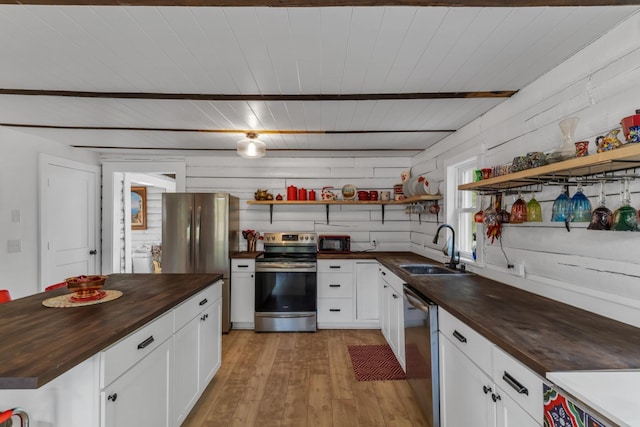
[41, 343]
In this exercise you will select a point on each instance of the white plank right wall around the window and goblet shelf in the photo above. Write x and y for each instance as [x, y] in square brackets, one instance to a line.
[597, 271]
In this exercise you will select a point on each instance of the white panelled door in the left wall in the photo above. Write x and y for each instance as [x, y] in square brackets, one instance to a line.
[68, 215]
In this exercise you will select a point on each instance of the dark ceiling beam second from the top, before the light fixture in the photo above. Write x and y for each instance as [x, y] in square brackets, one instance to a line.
[261, 97]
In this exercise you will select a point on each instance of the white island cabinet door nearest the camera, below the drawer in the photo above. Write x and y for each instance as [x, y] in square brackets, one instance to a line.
[141, 396]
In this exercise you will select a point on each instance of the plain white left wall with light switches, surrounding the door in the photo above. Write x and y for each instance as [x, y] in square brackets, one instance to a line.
[19, 272]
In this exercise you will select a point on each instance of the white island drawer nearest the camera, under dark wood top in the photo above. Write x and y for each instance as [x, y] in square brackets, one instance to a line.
[122, 355]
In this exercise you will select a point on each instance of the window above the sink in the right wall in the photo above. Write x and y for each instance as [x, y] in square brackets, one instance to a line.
[464, 207]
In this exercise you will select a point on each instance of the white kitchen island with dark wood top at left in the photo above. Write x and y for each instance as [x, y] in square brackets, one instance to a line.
[57, 360]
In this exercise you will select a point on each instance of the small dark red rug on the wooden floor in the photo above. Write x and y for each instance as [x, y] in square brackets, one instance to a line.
[375, 363]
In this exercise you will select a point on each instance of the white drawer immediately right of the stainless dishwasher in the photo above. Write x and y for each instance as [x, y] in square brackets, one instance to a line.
[471, 343]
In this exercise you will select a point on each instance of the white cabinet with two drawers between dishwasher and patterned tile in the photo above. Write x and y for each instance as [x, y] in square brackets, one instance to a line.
[495, 389]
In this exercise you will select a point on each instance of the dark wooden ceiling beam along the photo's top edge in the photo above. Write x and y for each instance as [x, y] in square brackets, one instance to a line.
[326, 3]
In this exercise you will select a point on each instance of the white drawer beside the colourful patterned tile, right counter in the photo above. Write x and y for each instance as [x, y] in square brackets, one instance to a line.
[519, 382]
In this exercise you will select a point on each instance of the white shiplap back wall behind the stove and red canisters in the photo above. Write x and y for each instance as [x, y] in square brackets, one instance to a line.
[241, 177]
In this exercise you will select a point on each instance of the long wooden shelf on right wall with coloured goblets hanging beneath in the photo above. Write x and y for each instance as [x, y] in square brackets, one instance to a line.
[568, 171]
